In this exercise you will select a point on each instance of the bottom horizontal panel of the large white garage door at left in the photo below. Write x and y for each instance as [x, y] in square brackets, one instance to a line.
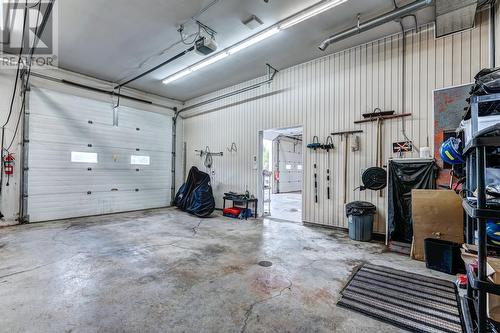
[54, 207]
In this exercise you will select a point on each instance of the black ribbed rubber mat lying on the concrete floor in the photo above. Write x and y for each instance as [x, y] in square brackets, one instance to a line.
[413, 302]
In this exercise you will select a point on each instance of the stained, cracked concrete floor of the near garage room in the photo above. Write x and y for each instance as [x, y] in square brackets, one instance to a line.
[165, 271]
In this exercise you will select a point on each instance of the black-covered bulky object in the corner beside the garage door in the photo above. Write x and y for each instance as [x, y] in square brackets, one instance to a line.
[195, 196]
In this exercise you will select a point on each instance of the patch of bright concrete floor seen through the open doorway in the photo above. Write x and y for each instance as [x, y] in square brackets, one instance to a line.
[287, 206]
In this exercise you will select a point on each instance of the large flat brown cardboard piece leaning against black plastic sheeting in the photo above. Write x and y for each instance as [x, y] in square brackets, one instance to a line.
[436, 214]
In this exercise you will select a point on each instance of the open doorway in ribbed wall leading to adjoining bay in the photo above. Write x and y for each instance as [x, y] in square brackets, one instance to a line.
[282, 170]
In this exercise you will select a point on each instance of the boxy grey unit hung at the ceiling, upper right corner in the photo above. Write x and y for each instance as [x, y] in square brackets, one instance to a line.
[454, 16]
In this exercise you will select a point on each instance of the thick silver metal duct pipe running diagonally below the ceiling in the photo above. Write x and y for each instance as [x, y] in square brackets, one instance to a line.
[375, 22]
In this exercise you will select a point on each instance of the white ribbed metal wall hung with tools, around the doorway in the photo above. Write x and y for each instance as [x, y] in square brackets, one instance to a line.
[328, 94]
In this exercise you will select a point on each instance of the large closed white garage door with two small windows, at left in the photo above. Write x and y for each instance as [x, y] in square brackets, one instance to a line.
[80, 164]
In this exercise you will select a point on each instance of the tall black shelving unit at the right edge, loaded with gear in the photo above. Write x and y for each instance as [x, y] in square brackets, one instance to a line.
[478, 212]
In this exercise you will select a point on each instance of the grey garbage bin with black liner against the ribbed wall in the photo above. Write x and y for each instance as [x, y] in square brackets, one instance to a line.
[360, 215]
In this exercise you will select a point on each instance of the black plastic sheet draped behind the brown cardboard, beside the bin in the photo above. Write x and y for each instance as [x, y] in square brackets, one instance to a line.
[404, 177]
